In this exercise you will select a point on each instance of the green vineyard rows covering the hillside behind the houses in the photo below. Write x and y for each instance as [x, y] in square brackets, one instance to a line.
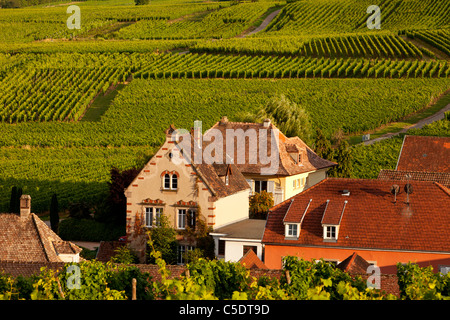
[194, 60]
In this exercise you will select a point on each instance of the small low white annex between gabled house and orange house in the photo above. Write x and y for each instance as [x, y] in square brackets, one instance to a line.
[233, 241]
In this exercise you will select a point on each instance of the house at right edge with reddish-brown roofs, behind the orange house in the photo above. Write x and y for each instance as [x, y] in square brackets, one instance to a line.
[423, 159]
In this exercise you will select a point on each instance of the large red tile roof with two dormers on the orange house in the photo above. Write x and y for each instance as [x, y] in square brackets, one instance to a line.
[371, 219]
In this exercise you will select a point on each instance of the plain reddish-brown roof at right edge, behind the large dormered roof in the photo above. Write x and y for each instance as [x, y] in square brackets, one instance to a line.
[430, 154]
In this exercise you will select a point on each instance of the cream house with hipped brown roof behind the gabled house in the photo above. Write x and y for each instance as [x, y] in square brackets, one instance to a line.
[289, 168]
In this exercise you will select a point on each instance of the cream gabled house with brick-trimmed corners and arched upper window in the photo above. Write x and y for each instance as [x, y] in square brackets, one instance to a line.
[174, 185]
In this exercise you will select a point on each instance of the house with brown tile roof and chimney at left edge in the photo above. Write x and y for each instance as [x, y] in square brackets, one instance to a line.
[26, 238]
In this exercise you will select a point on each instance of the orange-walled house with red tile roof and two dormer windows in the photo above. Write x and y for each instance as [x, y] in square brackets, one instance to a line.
[382, 223]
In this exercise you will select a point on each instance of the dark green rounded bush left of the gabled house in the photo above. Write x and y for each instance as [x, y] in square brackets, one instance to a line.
[89, 230]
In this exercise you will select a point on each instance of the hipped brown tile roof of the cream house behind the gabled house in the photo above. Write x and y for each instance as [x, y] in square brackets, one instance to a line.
[286, 164]
